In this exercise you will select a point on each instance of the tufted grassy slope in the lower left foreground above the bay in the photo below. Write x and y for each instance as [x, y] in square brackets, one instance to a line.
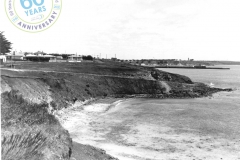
[29, 132]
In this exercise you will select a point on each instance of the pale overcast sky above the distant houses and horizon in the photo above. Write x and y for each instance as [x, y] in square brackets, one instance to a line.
[138, 29]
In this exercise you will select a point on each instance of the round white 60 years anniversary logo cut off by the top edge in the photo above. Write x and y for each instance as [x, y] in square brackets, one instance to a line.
[33, 15]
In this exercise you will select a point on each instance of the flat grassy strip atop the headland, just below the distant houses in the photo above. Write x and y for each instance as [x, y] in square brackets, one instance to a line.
[106, 68]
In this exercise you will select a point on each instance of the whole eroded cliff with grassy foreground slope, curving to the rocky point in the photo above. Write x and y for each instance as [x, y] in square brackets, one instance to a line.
[30, 98]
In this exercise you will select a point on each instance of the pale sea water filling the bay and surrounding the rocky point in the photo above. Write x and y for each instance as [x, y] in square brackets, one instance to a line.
[156, 129]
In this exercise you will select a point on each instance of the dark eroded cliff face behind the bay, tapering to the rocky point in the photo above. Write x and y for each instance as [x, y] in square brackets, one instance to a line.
[61, 90]
